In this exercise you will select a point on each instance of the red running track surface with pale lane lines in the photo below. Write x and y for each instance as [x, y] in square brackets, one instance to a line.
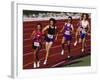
[55, 58]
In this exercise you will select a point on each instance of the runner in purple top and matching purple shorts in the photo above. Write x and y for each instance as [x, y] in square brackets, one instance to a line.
[68, 30]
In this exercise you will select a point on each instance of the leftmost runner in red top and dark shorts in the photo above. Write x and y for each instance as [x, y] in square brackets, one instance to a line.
[36, 37]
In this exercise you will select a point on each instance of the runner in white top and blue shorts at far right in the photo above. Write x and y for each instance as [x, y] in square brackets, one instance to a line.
[84, 29]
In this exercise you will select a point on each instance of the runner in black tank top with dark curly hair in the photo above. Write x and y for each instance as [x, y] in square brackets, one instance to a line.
[50, 36]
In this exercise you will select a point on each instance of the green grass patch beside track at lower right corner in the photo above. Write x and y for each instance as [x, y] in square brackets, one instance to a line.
[85, 61]
